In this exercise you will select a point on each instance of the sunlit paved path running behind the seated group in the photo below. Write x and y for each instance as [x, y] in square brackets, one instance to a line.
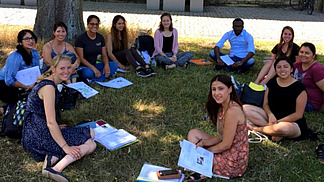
[262, 23]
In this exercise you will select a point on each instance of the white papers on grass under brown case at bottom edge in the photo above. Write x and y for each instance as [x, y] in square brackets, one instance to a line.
[148, 173]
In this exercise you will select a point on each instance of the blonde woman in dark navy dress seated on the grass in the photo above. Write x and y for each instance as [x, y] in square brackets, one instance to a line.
[42, 136]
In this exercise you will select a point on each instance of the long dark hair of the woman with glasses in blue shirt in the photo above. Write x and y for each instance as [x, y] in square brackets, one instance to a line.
[28, 58]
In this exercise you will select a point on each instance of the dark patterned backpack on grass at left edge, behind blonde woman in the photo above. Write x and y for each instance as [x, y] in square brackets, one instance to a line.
[13, 119]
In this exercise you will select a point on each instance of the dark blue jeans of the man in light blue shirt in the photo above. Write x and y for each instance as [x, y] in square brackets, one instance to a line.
[244, 67]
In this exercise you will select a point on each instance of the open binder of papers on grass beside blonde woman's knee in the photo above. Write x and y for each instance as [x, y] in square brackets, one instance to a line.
[112, 138]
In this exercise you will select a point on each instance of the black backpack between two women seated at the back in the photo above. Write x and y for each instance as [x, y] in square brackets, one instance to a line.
[145, 43]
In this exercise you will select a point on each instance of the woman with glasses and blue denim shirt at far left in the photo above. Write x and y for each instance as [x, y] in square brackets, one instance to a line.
[25, 56]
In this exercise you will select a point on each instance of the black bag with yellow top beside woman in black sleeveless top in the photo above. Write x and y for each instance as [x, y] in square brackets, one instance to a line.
[253, 94]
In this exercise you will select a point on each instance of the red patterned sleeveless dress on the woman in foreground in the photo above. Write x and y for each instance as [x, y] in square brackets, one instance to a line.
[232, 162]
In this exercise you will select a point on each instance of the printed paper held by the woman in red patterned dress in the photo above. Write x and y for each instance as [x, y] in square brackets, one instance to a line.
[198, 159]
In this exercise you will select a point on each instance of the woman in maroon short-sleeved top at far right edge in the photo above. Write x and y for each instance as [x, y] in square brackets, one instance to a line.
[311, 73]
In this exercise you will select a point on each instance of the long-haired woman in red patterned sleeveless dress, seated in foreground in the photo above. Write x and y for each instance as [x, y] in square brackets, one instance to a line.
[230, 144]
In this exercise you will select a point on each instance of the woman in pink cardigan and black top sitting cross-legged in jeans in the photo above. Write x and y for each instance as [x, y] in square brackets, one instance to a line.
[166, 45]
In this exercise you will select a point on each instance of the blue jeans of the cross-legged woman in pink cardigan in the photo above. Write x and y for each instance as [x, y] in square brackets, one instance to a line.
[182, 58]
